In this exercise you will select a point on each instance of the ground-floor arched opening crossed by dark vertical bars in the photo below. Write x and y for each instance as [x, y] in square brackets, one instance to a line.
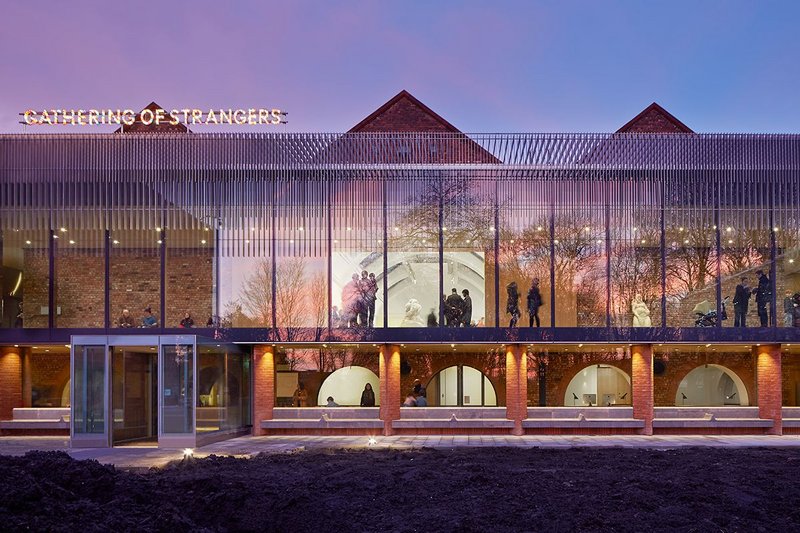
[461, 385]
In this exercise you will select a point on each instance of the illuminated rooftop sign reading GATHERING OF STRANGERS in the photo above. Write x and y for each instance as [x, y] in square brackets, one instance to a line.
[127, 117]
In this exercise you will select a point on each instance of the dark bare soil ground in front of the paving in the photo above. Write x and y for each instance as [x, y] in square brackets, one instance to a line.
[466, 489]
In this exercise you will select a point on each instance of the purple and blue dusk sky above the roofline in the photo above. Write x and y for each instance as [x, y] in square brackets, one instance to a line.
[719, 66]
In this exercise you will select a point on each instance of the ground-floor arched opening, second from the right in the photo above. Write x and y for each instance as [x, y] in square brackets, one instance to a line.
[602, 385]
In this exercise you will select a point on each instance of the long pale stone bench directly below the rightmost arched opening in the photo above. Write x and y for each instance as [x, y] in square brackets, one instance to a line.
[709, 417]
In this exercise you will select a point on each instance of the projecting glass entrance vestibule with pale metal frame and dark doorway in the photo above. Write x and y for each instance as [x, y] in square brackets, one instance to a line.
[173, 391]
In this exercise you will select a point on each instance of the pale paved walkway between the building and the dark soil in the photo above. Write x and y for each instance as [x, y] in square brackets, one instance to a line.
[132, 457]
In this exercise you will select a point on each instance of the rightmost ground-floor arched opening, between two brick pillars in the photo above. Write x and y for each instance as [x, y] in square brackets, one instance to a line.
[711, 385]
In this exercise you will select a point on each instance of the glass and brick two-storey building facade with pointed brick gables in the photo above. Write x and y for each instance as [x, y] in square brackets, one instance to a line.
[175, 288]
